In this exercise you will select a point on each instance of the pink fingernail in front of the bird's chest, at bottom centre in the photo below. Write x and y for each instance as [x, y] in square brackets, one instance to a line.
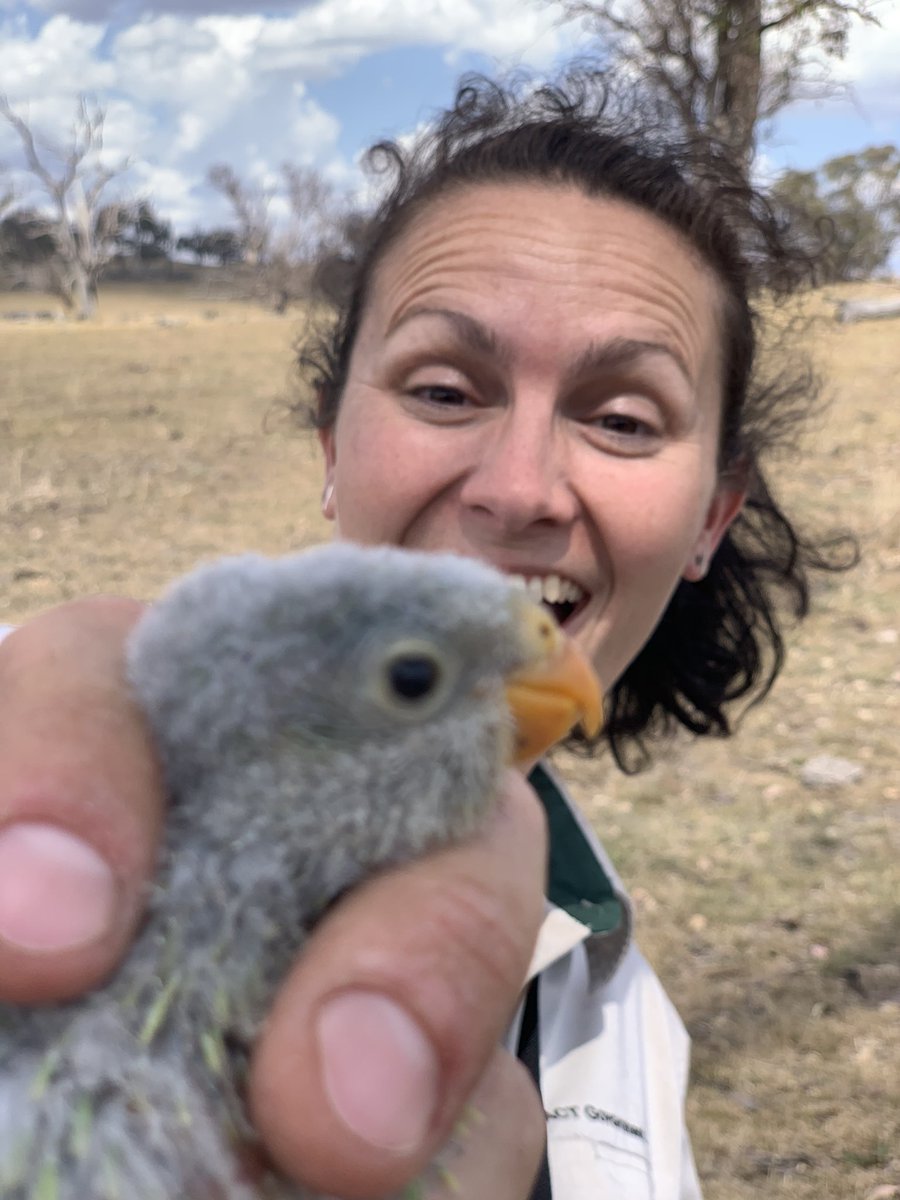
[381, 1071]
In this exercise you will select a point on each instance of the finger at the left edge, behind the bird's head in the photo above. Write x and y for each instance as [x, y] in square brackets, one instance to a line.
[81, 802]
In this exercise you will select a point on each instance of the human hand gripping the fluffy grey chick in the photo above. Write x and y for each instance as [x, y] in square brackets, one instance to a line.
[435, 951]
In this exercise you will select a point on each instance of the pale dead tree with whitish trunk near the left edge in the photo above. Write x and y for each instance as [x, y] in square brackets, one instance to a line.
[74, 179]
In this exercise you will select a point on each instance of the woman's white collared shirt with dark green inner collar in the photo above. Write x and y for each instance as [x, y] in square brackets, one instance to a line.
[614, 1053]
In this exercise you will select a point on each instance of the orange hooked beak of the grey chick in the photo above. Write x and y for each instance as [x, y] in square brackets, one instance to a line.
[555, 691]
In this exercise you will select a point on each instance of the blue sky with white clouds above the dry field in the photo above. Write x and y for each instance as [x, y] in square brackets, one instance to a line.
[188, 83]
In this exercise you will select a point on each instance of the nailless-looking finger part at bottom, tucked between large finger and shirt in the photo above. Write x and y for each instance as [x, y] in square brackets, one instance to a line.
[496, 1148]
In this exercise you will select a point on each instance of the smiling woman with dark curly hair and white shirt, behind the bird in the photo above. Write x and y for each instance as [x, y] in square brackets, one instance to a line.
[548, 361]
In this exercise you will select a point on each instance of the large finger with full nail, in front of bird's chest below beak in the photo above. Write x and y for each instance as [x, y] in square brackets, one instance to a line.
[386, 1025]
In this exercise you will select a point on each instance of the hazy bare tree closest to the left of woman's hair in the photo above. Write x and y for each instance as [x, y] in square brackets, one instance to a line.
[283, 230]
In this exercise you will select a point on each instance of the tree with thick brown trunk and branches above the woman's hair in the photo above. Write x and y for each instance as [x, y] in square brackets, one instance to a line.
[725, 65]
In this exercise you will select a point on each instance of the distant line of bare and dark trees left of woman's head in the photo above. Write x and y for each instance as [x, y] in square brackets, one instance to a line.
[63, 231]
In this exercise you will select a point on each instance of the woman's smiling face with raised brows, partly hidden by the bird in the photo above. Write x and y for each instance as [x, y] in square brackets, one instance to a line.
[537, 383]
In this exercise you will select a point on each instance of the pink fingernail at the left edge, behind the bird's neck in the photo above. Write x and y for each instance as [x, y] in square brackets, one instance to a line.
[56, 891]
